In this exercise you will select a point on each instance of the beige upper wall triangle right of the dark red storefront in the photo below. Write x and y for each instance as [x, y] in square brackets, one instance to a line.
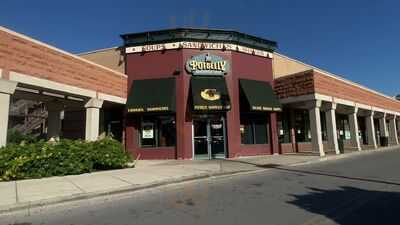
[283, 66]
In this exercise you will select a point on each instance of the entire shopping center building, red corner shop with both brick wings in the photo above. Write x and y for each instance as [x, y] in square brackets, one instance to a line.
[196, 94]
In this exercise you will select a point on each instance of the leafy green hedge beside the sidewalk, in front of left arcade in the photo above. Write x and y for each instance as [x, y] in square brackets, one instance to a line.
[65, 157]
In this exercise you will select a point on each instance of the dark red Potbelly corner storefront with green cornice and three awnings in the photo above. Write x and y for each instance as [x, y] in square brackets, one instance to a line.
[192, 98]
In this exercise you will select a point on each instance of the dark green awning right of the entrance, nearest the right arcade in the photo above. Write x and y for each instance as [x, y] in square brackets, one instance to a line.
[259, 95]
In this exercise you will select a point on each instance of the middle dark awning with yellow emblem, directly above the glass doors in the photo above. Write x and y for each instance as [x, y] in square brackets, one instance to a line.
[210, 94]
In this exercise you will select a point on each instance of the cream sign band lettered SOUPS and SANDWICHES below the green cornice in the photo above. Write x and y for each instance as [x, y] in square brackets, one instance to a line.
[198, 45]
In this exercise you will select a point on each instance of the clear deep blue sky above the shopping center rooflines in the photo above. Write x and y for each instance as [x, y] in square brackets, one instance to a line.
[356, 39]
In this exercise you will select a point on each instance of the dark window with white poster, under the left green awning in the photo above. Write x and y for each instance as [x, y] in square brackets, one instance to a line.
[157, 131]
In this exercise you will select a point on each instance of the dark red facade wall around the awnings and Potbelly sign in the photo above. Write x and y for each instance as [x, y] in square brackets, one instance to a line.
[160, 64]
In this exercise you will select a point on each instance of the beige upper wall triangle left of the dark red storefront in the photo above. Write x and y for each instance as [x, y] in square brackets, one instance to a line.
[110, 57]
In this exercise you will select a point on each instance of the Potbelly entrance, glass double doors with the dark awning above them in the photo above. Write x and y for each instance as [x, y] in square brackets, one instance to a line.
[210, 101]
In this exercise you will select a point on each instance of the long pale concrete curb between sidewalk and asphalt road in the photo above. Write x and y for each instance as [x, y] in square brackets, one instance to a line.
[132, 188]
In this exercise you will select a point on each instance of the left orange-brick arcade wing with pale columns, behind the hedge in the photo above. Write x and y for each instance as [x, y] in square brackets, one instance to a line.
[64, 83]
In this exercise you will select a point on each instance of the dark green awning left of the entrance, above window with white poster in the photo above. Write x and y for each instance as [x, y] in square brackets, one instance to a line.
[152, 95]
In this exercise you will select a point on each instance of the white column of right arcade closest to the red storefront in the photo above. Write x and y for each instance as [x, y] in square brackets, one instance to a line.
[315, 125]
